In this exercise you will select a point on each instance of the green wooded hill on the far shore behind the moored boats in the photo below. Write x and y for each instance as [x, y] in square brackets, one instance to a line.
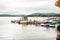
[44, 15]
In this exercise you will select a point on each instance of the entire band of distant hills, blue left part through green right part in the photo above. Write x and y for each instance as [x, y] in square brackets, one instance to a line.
[33, 15]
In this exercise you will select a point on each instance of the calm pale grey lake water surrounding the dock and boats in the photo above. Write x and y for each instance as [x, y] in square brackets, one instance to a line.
[10, 31]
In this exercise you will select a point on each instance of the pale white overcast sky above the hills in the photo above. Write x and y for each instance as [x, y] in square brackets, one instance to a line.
[28, 6]
